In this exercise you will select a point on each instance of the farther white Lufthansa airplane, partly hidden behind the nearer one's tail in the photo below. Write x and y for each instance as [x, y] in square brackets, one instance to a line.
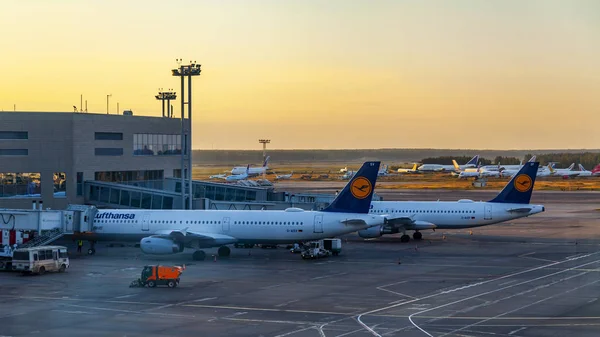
[511, 203]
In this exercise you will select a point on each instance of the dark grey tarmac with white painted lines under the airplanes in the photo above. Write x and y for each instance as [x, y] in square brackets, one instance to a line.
[538, 276]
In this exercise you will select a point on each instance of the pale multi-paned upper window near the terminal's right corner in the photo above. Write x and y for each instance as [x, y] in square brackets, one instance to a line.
[148, 144]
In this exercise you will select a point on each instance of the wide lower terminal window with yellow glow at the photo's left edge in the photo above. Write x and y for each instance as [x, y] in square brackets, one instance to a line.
[20, 185]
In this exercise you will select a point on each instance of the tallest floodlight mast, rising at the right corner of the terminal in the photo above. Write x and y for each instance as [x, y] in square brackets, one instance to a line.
[192, 69]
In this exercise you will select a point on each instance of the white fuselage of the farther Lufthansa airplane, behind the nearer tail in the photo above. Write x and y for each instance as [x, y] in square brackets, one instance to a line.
[455, 214]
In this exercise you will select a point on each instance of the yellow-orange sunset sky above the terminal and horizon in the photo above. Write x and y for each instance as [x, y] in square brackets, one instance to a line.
[321, 74]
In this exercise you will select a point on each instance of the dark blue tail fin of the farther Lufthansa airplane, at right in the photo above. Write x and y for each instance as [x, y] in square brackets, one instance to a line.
[519, 188]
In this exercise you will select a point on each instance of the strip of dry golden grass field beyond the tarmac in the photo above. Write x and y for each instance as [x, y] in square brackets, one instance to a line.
[409, 181]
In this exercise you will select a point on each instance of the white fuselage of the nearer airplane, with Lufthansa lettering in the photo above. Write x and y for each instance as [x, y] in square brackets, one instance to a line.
[292, 225]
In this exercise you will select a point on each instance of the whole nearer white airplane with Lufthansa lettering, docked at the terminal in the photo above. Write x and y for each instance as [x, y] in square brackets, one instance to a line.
[163, 232]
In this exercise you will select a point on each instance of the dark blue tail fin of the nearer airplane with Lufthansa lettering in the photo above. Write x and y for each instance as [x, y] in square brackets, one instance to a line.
[357, 194]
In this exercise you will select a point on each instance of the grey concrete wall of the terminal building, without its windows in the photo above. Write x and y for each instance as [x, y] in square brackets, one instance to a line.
[65, 142]
